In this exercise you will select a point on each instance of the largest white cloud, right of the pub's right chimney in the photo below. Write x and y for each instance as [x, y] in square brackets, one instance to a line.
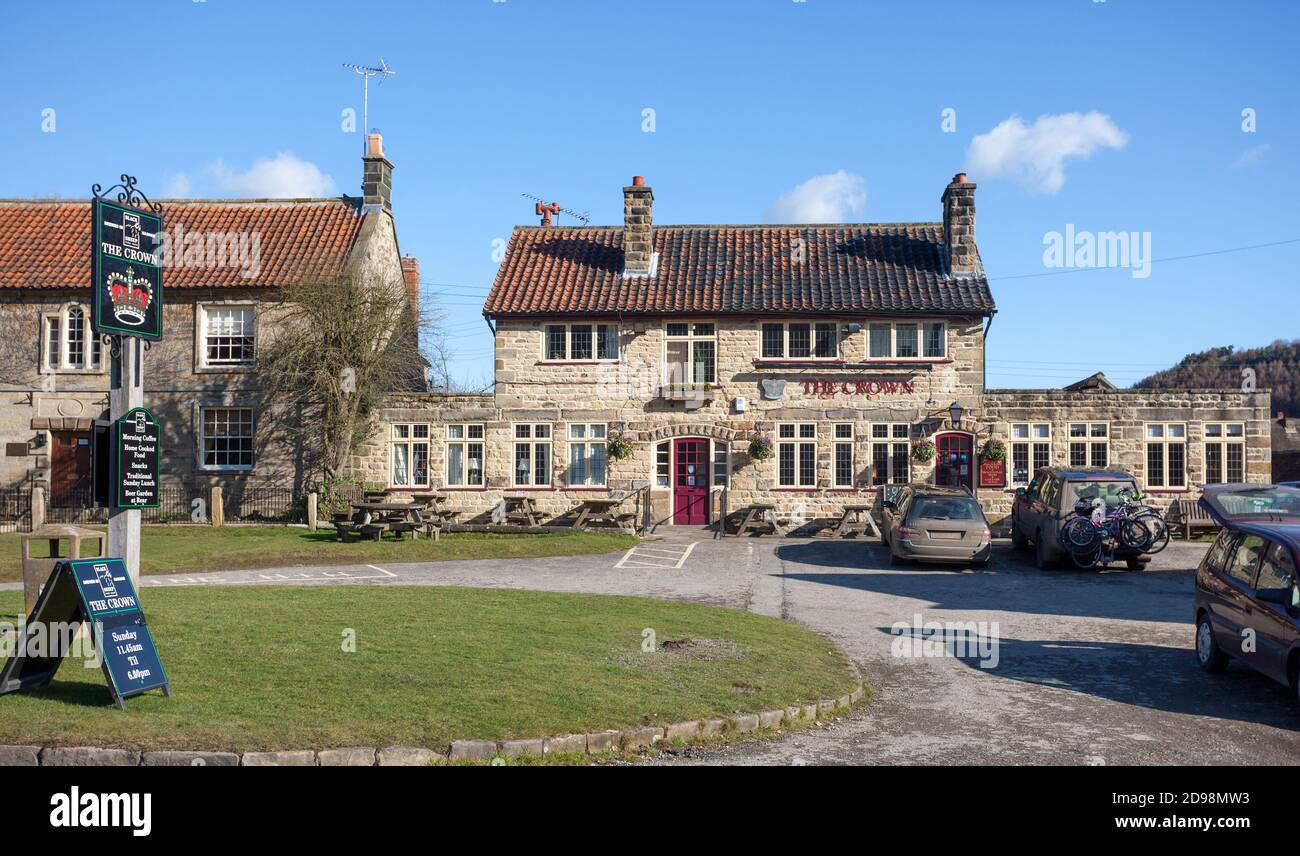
[1035, 155]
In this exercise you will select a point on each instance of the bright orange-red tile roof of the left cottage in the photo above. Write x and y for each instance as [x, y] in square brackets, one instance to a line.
[46, 244]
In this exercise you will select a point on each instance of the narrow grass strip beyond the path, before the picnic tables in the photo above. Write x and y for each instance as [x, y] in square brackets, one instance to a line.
[203, 548]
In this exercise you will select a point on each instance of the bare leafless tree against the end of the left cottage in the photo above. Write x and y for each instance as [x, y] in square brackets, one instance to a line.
[339, 348]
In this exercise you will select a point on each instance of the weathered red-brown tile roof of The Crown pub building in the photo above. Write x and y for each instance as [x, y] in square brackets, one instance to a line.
[738, 270]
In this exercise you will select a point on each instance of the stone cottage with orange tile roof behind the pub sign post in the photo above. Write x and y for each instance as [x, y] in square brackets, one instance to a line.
[227, 262]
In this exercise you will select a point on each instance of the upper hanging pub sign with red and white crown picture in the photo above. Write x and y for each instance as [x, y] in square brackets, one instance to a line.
[127, 266]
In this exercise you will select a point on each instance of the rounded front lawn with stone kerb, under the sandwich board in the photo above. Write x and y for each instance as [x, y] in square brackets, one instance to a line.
[265, 668]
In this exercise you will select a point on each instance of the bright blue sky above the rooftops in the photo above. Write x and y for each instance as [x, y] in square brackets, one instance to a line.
[1130, 120]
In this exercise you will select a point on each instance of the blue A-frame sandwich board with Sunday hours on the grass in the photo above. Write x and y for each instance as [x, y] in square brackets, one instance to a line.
[97, 593]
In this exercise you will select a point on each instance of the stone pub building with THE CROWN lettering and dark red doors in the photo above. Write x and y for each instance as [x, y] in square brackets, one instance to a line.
[856, 353]
